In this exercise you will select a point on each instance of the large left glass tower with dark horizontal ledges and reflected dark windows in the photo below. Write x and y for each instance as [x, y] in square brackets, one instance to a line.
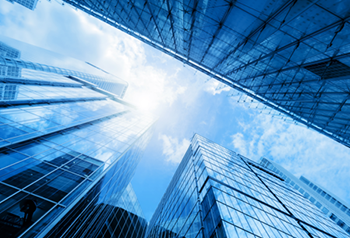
[68, 151]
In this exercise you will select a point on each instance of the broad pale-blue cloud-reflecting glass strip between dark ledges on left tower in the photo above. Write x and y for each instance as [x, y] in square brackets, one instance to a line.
[22, 123]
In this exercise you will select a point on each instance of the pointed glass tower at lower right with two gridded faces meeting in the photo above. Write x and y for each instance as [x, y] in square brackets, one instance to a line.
[217, 193]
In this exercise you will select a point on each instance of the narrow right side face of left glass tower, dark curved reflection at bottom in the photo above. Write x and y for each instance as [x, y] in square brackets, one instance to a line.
[98, 213]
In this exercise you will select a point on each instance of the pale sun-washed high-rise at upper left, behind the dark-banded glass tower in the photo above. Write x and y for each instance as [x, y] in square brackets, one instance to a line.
[18, 60]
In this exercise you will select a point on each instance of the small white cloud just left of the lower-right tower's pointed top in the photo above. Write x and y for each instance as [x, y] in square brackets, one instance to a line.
[174, 149]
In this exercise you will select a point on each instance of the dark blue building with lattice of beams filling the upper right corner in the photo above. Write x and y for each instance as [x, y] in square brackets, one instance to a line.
[290, 55]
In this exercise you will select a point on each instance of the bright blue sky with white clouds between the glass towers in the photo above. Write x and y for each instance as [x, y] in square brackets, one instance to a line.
[184, 100]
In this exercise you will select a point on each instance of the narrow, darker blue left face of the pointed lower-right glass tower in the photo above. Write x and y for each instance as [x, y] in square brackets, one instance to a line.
[179, 211]
